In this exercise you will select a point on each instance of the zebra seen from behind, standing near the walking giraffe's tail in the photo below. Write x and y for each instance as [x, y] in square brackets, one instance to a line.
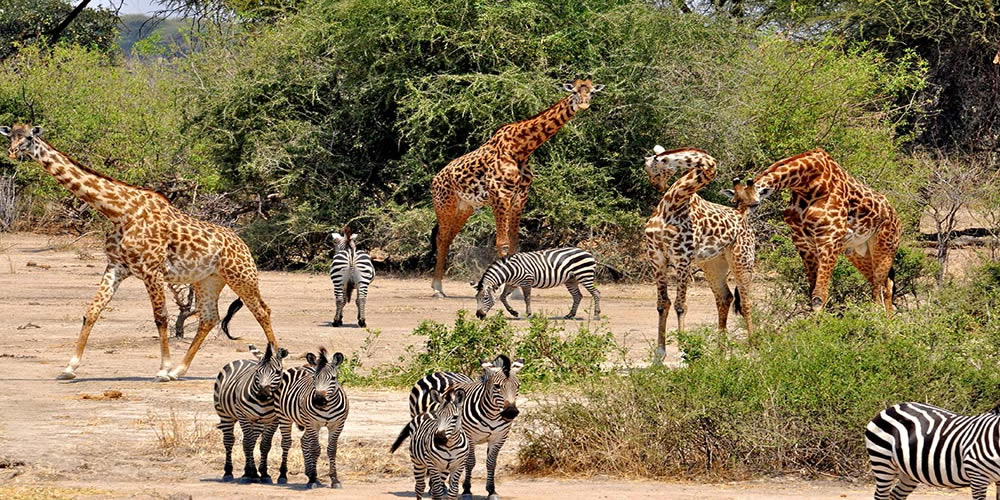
[351, 268]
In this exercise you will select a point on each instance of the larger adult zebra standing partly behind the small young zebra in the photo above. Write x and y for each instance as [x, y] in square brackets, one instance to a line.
[487, 411]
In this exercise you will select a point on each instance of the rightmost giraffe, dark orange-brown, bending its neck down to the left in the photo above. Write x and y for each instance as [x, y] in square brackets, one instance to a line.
[831, 212]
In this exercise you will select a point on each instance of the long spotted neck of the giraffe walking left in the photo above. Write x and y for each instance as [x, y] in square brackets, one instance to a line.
[100, 192]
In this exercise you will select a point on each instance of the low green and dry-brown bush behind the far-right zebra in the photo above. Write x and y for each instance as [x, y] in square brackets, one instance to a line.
[797, 401]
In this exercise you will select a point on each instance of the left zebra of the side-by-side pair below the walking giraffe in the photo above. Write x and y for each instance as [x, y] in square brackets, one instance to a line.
[244, 393]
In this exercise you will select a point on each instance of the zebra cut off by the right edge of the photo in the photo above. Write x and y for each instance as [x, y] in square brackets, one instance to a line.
[914, 443]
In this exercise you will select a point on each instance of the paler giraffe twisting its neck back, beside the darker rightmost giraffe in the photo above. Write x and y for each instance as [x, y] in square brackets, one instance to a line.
[686, 229]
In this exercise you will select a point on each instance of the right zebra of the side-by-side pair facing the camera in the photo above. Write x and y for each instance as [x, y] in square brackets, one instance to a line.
[311, 397]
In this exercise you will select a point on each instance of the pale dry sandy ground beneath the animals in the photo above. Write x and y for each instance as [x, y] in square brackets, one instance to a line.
[66, 439]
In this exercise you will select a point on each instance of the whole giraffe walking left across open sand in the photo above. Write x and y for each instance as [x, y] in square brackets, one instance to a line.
[155, 242]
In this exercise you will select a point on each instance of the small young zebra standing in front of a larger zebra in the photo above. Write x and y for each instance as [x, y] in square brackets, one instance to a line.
[438, 445]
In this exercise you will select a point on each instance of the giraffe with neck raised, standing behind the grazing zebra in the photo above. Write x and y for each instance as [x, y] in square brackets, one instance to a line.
[497, 174]
